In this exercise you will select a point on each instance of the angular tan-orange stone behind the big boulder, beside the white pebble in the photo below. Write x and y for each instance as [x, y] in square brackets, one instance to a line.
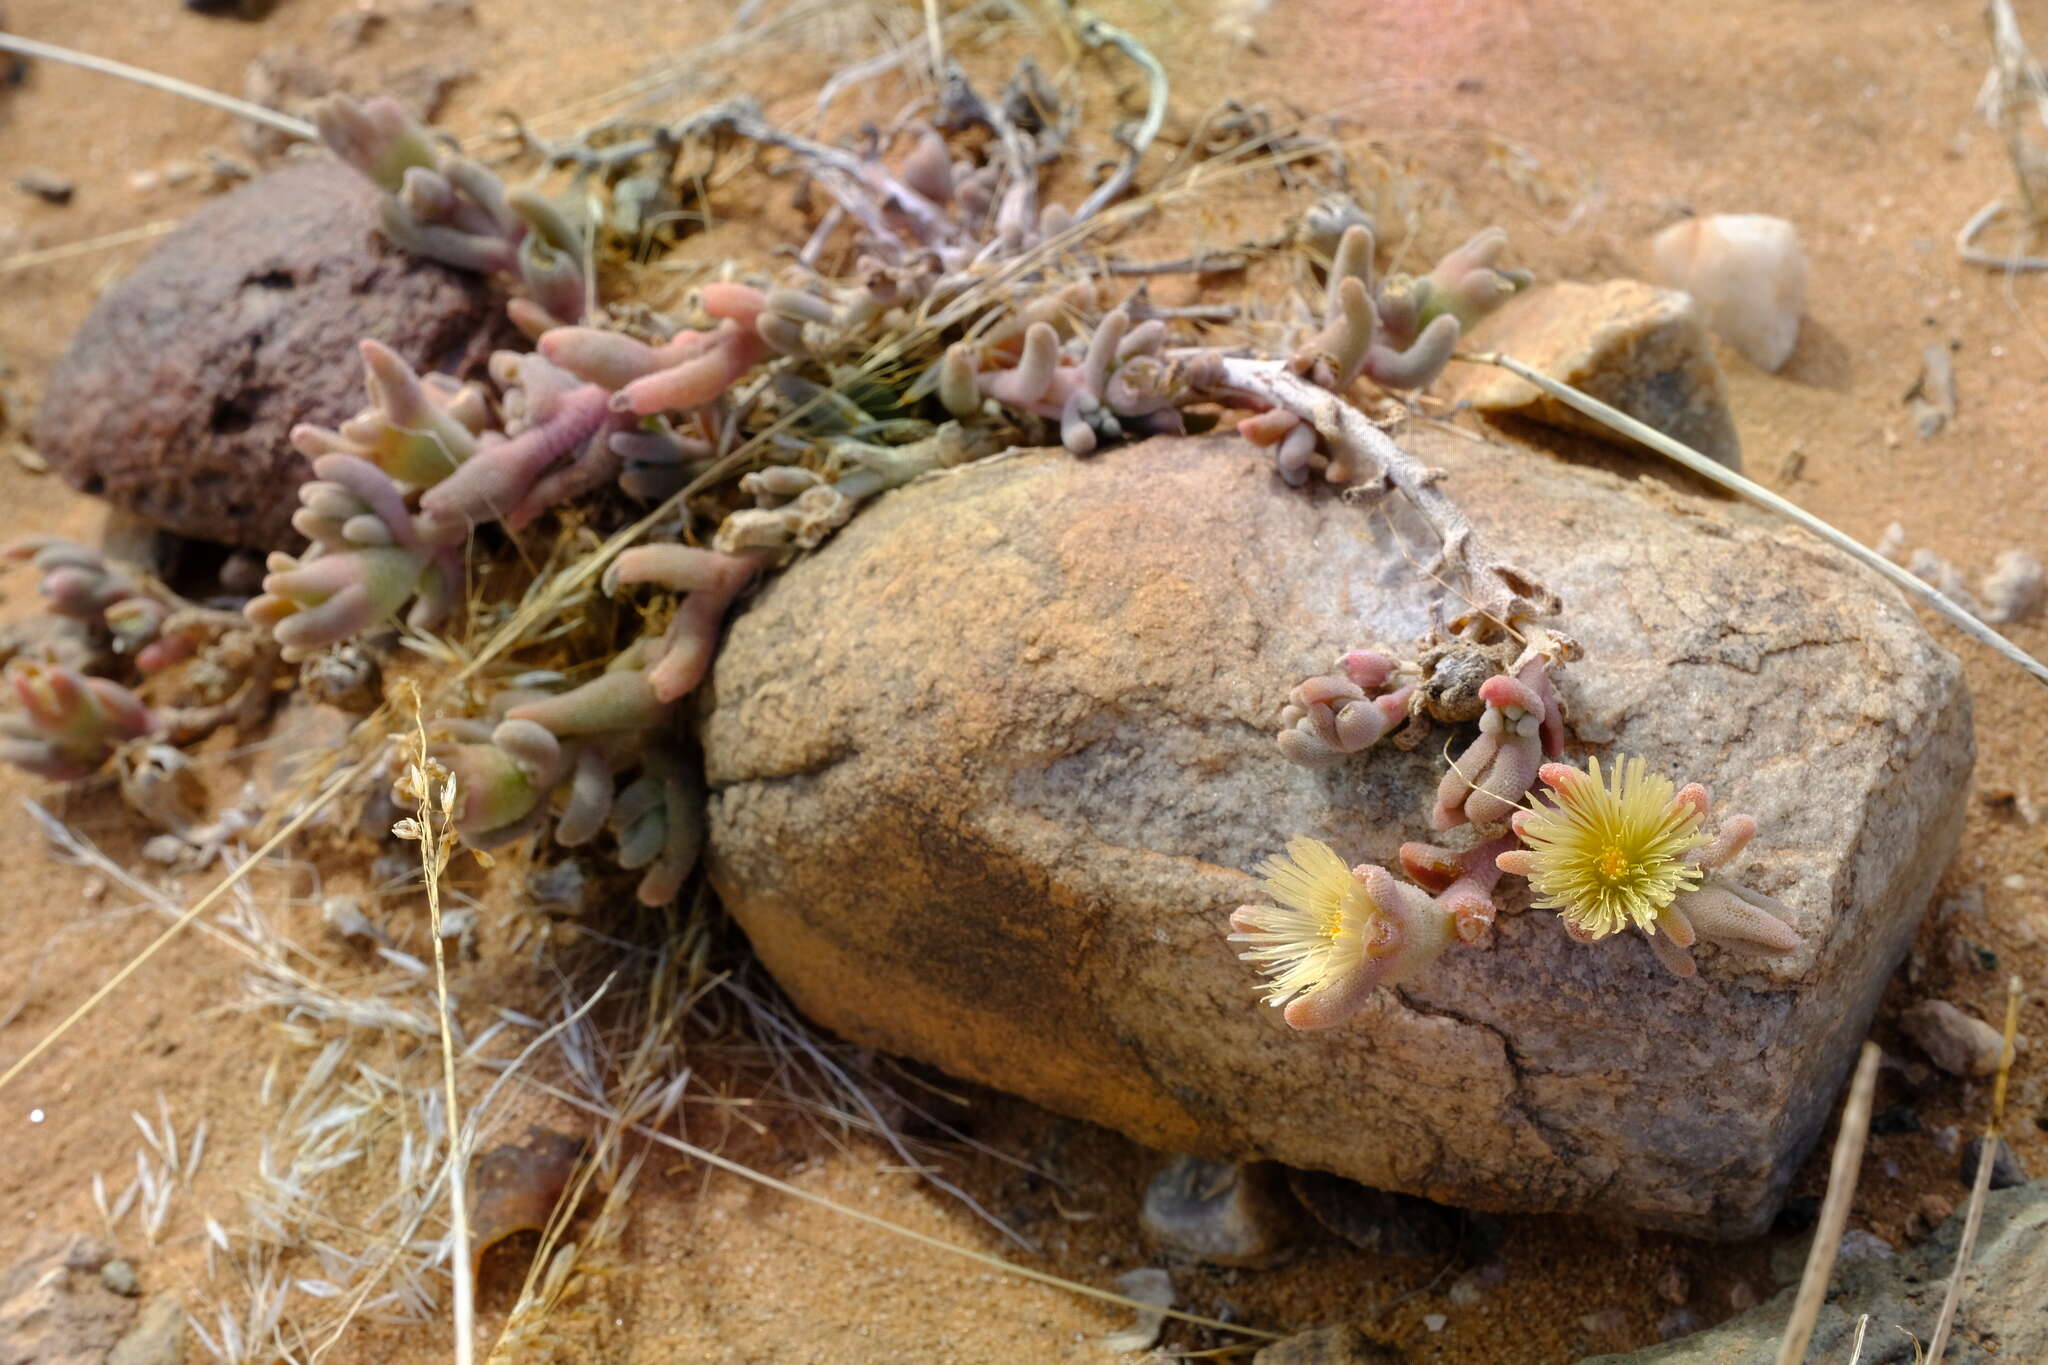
[1629, 345]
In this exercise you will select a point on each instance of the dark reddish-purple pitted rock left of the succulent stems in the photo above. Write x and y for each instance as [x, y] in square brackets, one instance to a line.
[183, 384]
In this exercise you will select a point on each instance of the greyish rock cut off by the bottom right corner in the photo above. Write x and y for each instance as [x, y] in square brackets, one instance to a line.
[1998, 1321]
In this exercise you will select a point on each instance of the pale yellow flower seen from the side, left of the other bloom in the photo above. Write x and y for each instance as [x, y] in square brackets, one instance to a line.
[1320, 932]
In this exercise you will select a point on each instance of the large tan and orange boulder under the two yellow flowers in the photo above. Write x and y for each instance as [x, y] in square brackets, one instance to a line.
[990, 766]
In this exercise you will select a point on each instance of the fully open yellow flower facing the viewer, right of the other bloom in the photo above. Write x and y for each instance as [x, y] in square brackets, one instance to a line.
[1611, 854]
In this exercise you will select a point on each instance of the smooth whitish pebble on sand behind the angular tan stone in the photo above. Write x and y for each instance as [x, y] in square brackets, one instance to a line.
[1748, 275]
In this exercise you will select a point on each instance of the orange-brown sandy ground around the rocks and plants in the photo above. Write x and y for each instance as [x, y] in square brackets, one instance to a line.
[1578, 128]
